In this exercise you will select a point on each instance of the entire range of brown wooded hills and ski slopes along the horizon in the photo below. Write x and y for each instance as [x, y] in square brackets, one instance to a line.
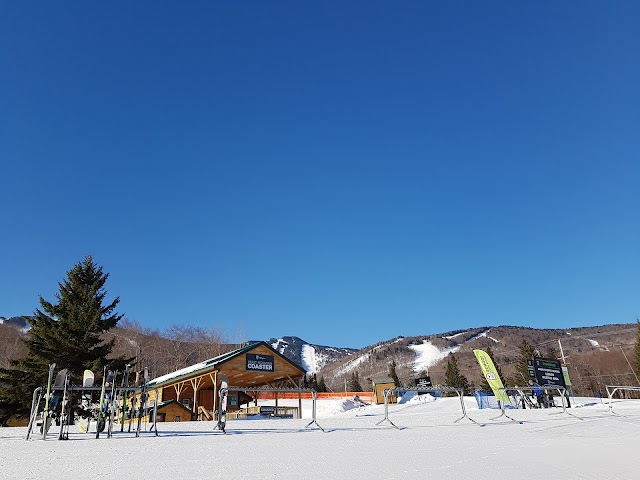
[596, 356]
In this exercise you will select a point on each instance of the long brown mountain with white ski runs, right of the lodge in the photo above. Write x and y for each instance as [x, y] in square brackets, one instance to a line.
[595, 355]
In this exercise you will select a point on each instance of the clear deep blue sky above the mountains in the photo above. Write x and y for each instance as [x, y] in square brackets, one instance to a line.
[345, 172]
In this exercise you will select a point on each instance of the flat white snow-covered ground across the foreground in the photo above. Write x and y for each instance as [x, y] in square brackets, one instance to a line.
[596, 445]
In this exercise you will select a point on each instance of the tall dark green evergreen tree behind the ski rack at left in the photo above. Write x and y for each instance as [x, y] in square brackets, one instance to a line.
[67, 333]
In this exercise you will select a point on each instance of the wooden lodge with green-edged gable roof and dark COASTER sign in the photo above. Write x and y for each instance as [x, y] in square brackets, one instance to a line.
[192, 392]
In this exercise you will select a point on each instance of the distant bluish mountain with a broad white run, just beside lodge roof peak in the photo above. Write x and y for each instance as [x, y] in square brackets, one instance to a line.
[311, 357]
